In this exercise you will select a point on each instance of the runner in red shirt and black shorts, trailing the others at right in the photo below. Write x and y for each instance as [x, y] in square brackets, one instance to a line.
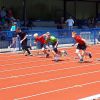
[81, 46]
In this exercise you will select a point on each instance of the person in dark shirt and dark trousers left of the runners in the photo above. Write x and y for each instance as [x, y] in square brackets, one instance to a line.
[23, 41]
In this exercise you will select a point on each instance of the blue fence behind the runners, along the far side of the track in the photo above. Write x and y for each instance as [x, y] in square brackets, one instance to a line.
[64, 37]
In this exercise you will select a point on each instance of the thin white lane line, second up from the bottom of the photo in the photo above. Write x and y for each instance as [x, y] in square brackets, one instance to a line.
[48, 80]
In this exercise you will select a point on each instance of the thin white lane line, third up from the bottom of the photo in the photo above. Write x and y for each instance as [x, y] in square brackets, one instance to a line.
[60, 69]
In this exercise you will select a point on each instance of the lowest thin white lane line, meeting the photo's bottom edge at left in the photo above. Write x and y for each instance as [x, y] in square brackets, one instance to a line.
[58, 90]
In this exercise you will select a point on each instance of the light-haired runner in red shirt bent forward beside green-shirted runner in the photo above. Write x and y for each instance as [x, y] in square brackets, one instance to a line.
[40, 40]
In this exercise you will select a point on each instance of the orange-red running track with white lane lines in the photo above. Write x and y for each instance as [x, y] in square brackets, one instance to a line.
[38, 78]
